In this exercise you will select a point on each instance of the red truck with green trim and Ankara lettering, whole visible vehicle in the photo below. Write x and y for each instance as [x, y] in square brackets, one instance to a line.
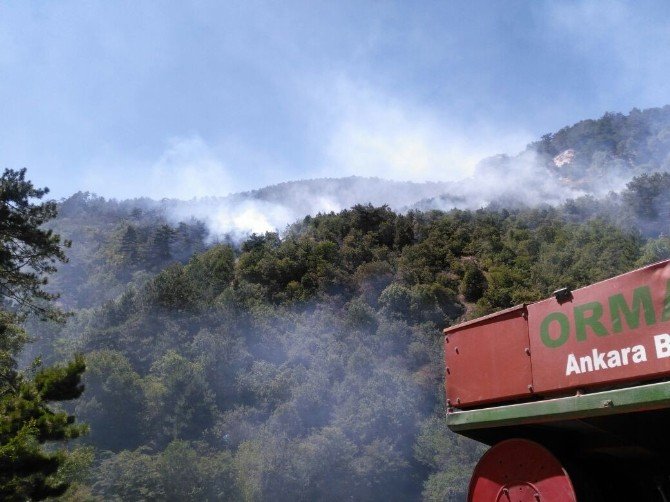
[572, 392]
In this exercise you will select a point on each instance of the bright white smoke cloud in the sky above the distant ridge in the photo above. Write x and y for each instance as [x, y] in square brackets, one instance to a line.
[377, 134]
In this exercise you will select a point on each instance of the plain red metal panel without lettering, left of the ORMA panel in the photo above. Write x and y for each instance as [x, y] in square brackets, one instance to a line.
[487, 359]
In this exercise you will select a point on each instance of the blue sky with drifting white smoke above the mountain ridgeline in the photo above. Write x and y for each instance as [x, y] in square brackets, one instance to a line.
[185, 99]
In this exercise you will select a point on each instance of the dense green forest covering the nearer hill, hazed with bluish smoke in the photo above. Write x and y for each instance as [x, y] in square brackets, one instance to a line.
[306, 364]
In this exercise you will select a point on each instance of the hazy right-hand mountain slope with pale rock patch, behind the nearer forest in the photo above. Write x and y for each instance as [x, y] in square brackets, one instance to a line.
[591, 157]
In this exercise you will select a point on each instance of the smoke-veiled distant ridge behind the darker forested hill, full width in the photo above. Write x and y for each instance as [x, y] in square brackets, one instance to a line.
[577, 166]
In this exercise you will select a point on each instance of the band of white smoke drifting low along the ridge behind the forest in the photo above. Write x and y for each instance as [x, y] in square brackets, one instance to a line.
[523, 180]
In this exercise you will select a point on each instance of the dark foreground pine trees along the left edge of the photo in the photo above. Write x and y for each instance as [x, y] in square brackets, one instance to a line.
[28, 252]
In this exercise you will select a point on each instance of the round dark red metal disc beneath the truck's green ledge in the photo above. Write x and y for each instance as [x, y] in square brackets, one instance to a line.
[518, 470]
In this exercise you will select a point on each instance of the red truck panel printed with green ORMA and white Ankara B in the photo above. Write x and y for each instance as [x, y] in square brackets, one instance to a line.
[606, 333]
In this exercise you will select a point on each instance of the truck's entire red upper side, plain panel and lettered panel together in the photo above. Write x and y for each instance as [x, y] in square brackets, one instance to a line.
[608, 334]
